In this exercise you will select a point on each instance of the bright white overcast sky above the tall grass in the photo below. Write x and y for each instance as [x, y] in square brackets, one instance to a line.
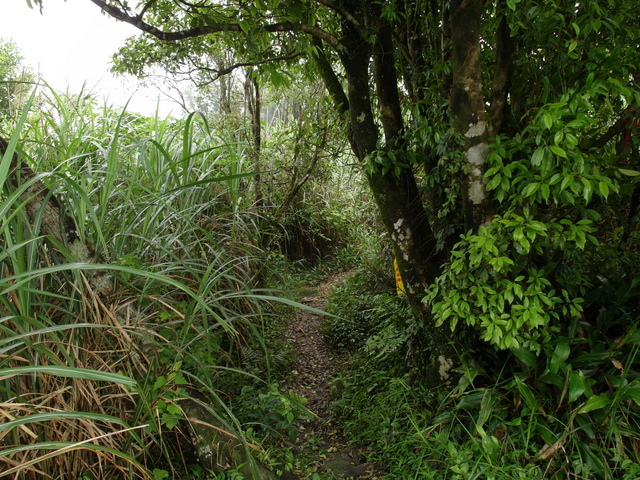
[71, 43]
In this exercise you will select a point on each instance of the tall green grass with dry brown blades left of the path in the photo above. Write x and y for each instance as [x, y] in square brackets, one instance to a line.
[96, 357]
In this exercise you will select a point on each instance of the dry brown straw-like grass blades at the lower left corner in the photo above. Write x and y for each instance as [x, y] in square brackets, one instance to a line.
[113, 348]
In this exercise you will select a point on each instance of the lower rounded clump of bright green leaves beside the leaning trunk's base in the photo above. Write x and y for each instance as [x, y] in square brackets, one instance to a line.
[492, 284]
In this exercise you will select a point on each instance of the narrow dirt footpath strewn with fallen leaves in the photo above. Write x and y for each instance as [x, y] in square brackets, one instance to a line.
[321, 440]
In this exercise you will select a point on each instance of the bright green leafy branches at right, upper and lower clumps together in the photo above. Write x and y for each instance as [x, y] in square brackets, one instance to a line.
[546, 183]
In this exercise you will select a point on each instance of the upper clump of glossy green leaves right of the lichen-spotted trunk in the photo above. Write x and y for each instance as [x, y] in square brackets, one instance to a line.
[545, 165]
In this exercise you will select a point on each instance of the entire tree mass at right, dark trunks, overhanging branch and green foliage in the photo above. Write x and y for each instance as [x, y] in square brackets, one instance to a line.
[489, 133]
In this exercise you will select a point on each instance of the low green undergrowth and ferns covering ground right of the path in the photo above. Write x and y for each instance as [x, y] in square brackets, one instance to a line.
[571, 412]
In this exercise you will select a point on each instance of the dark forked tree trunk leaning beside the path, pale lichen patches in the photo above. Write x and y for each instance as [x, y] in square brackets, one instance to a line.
[397, 196]
